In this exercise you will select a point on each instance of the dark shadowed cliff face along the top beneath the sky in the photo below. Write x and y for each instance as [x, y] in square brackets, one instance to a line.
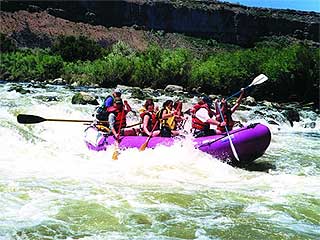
[227, 23]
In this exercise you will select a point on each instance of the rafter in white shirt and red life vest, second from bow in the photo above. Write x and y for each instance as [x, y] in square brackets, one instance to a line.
[203, 123]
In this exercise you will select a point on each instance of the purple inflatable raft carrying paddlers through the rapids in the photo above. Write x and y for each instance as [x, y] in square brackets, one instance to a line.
[250, 142]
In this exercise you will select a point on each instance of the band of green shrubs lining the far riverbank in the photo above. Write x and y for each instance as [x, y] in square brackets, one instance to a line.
[292, 69]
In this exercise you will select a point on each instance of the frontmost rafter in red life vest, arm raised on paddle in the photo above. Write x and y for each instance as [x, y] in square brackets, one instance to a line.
[227, 112]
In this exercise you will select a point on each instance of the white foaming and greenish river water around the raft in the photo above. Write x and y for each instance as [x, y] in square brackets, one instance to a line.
[52, 187]
